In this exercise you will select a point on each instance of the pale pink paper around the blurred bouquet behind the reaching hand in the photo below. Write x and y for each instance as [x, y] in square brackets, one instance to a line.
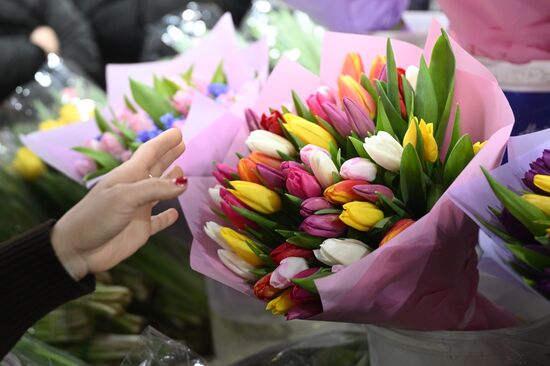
[209, 129]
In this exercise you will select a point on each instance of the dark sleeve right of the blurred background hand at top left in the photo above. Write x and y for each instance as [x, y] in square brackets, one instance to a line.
[76, 38]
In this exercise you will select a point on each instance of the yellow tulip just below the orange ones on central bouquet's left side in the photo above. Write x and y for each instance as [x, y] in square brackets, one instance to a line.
[256, 196]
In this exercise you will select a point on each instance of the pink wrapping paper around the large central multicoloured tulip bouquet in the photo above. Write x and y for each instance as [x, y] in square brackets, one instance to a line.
[426, 278]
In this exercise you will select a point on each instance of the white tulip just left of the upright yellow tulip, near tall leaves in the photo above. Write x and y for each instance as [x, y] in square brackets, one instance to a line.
[384, 150]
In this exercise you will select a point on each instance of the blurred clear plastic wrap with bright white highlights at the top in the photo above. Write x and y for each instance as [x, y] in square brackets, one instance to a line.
[177, 32]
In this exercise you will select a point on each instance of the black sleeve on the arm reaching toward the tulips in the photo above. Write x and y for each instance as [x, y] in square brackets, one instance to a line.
[32, 283]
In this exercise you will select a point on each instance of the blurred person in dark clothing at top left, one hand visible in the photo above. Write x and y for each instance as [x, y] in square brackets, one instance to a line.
[30, 29]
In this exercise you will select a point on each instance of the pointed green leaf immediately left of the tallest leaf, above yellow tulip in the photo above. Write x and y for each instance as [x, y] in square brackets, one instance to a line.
[425, 101]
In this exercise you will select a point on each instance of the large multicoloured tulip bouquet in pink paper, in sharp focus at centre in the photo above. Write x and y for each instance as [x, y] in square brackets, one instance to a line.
[339, 209]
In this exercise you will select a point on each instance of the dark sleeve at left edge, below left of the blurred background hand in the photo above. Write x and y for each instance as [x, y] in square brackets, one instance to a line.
[19, 60]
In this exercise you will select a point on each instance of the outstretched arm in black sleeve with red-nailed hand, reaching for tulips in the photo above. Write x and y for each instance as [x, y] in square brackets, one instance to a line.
[55, 262]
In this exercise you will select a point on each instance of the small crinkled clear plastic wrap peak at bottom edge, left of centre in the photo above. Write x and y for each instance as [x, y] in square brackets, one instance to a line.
[155, 349]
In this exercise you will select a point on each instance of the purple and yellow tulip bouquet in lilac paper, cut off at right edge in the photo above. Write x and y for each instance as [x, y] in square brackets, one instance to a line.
[512, 205]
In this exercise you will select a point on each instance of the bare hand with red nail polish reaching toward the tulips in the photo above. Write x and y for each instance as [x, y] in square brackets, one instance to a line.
[114, 219]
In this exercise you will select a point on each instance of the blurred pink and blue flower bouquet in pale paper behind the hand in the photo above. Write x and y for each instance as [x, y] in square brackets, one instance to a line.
[200, 92]
